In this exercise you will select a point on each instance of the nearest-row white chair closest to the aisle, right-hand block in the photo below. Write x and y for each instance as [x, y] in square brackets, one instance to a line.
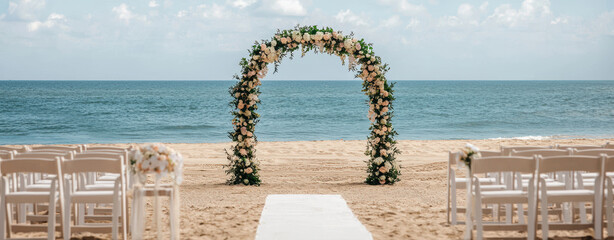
[507, 196]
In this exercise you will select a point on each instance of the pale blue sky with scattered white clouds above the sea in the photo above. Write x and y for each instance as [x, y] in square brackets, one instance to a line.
[204, 40]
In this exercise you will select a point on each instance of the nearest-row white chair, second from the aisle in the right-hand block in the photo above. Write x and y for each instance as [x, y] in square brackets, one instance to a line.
[546, 196]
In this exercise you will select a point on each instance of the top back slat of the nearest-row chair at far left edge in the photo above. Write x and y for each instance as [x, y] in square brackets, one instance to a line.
[29, 165]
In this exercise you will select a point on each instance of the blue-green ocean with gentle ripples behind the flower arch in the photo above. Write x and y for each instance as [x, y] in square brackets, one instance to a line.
[69, 112]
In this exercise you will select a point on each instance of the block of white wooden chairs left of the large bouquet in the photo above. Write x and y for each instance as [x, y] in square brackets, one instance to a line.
[74, 182]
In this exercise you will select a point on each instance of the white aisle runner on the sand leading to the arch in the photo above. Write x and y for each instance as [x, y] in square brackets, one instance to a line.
[309, 217]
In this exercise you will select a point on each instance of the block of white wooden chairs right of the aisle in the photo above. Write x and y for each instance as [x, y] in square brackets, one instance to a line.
[508, 182]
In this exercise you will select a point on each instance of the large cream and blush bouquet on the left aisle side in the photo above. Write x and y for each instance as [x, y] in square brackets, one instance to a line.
[156, 159]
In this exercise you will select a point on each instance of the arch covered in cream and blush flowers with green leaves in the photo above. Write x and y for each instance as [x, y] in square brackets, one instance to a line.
[243, 166]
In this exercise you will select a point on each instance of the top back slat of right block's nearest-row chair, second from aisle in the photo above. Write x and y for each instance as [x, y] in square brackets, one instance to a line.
[570, 163]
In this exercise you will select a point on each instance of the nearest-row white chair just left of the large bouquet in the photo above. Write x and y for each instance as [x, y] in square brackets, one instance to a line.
[117, 197]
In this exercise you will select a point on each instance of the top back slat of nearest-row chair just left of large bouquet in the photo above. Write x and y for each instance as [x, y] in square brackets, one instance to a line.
[101, 165]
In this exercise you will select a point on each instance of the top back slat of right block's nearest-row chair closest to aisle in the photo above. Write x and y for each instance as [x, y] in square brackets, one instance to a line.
[503, 164]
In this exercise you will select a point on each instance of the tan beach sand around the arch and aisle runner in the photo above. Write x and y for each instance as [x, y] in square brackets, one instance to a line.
[413, 208]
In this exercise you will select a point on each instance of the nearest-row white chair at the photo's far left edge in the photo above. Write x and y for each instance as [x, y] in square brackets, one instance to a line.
[7, 197]
